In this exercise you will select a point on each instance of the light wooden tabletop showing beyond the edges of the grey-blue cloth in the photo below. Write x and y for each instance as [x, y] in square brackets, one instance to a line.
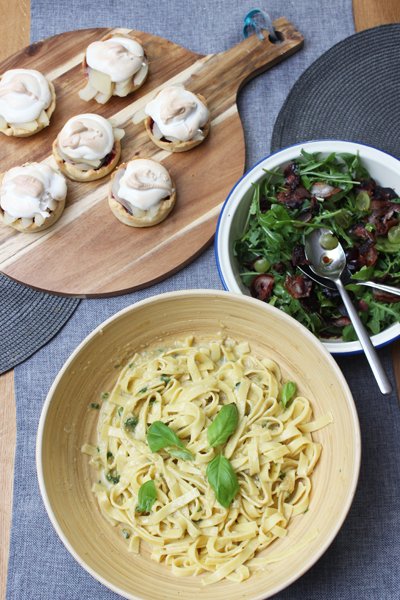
[14, 31]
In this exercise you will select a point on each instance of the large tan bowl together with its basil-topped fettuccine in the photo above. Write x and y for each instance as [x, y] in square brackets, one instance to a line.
[202, 449]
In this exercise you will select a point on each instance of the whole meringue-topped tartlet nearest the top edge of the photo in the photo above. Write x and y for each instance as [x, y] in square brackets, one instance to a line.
[116, 65]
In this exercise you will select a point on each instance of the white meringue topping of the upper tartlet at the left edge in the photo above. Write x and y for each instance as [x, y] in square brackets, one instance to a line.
[24, 93]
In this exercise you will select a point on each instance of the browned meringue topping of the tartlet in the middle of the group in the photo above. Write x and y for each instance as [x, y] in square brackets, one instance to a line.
[87, 137]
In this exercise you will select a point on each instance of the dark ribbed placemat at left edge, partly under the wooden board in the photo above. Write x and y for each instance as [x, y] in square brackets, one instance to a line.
[28, 320]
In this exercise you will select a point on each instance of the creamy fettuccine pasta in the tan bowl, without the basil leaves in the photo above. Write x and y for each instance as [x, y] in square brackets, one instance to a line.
[271, 452]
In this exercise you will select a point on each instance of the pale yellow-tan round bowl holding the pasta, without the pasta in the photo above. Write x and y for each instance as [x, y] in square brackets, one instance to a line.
[65, 476]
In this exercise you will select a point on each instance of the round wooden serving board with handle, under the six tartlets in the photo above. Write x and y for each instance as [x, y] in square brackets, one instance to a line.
[88, 252]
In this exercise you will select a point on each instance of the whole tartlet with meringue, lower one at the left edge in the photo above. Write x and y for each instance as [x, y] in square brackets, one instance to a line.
[32, 197]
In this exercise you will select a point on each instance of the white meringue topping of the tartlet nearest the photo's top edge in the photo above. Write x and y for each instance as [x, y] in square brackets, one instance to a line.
[118, 57]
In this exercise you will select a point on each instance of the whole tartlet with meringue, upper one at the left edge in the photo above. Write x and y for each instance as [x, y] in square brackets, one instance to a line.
[27, 101]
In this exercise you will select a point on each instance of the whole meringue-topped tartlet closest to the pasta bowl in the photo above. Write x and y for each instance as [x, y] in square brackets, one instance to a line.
[142, 193]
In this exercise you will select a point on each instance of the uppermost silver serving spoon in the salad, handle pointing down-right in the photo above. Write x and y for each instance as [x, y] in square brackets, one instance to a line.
[330, 264]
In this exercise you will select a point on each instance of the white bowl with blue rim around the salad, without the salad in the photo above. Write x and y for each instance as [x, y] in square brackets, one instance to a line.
[383, 167]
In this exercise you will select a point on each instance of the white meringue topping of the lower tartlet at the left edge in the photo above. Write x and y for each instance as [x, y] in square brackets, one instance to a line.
[30, 190]
